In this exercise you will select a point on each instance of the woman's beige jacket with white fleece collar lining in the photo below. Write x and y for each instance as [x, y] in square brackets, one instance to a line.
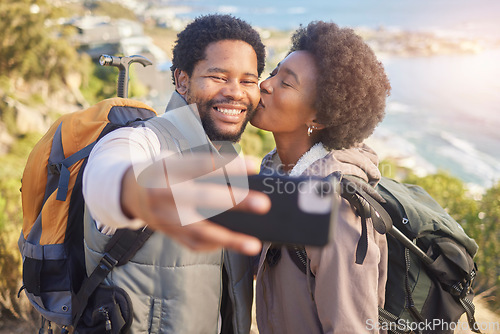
[341, 297]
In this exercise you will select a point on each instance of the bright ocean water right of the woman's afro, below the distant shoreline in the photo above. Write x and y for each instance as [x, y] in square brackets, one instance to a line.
[444, 113]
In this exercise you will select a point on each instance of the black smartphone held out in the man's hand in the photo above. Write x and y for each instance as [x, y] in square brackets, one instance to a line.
[304, 210]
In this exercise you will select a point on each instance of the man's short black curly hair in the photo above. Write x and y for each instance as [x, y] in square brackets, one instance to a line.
[193, 40]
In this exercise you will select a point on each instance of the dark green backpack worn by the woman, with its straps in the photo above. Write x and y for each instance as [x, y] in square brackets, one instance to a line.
[430, 262]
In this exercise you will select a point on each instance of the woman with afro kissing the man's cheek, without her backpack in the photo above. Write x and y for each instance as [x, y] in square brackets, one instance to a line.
[321, 102]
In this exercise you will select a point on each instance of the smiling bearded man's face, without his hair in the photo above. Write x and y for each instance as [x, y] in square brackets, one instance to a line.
[225, 88]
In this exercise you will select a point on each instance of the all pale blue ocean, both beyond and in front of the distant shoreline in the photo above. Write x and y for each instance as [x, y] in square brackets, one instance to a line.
[444, 110]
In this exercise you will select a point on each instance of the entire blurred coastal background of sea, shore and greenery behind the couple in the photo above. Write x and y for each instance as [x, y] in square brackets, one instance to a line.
[442, 120]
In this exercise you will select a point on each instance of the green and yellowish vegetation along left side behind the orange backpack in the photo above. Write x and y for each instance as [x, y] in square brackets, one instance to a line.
[36, 61]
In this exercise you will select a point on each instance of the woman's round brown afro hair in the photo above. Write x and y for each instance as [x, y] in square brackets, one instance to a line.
[351, 87]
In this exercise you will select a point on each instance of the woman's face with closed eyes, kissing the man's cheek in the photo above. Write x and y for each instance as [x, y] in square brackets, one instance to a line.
[287, 96]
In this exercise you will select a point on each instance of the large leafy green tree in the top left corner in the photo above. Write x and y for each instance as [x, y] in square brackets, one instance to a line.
[29, 45]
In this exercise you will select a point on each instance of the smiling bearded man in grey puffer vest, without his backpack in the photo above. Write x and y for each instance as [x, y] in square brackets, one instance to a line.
[216, 65]
